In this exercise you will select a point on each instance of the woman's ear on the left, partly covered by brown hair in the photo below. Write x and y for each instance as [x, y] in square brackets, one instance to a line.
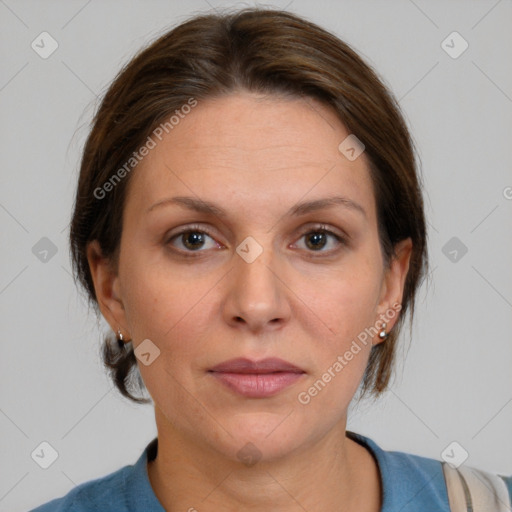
[106, 287]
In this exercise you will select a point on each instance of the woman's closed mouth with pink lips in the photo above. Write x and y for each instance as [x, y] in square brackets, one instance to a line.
[257, 379]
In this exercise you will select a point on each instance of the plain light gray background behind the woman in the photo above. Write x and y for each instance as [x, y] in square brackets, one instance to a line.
[456, 379]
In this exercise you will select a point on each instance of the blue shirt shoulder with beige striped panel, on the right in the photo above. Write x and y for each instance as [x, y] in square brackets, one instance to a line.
[412, 482]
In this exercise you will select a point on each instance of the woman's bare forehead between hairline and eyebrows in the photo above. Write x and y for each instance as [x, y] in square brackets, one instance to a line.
[258, 150]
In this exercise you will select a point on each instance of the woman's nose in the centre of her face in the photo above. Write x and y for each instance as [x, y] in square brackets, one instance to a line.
[257, 297]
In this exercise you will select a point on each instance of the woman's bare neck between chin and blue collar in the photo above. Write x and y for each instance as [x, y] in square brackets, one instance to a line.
[334, 473]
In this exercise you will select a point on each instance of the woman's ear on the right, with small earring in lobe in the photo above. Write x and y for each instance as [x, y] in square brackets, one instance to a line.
[394, 281]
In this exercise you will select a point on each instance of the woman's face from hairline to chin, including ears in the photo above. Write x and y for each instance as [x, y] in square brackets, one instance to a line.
[255, 277]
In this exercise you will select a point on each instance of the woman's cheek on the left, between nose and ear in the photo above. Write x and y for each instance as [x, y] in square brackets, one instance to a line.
[171, 307]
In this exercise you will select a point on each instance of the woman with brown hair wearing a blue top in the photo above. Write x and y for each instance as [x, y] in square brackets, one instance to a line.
[249, 221]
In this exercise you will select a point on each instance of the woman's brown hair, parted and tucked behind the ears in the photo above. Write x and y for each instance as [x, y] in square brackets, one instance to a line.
[258, 50]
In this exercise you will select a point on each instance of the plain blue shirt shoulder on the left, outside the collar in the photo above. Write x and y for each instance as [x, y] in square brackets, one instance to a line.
[97, 494]
